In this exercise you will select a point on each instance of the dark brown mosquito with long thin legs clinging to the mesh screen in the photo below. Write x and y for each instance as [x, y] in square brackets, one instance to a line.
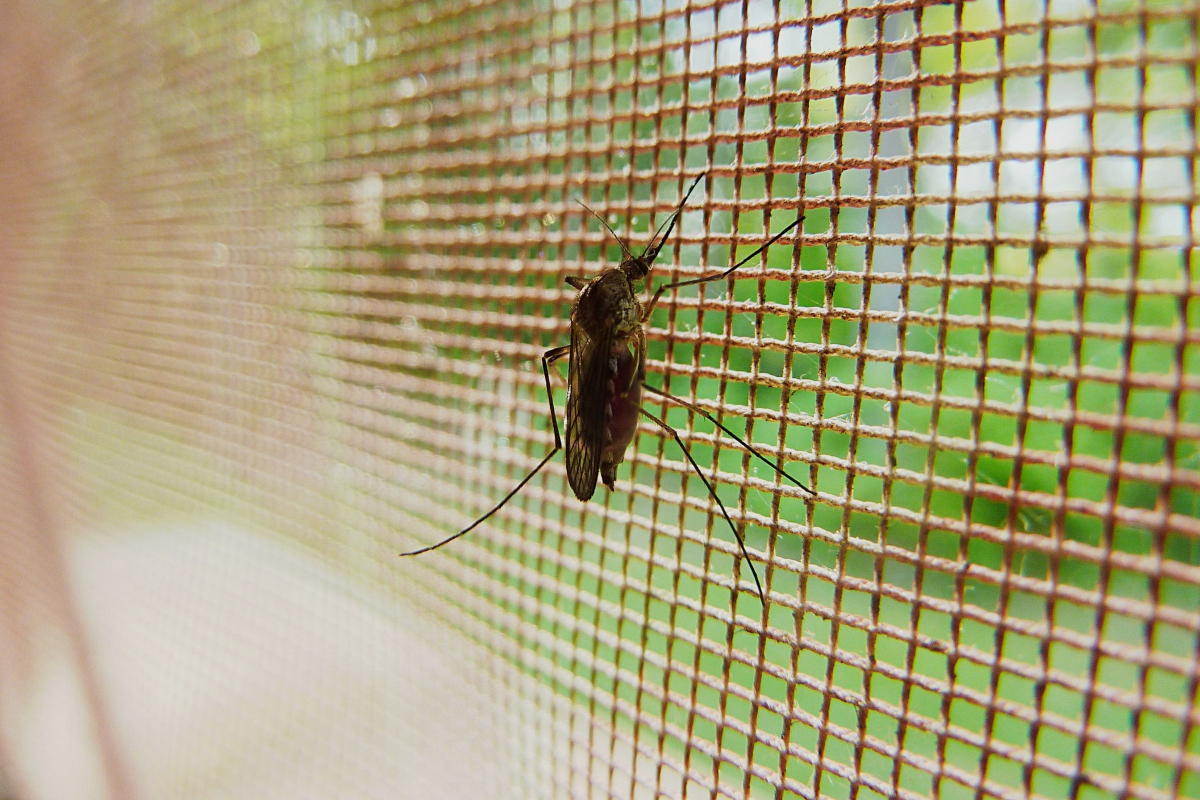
[607, 377]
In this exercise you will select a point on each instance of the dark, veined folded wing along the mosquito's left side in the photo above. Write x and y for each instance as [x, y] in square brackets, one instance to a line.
[587, 396]
